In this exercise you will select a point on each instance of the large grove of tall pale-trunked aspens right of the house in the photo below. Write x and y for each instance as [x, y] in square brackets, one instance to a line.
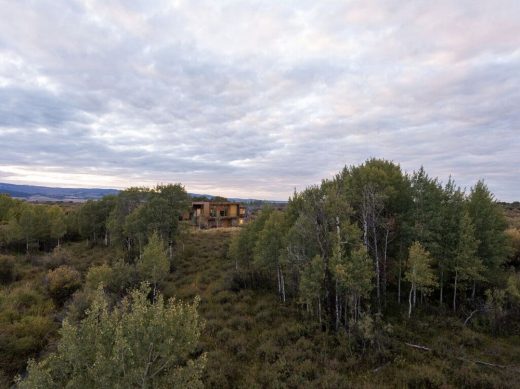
[373, 238]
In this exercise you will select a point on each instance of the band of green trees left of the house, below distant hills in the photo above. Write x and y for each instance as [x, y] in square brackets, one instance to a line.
[126, 219]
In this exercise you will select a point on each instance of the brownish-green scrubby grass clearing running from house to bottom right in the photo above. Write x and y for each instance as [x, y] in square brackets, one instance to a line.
[253, 340]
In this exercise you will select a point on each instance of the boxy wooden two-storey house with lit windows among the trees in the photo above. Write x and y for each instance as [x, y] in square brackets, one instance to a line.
[208, 214]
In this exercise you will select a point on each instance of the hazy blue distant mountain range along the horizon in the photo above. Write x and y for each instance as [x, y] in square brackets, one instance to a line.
[45, 193]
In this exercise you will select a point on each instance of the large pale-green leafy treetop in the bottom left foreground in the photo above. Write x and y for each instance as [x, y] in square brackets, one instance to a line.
[137, 344]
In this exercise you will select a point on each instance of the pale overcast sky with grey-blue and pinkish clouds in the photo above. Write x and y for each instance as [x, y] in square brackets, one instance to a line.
[256, 98]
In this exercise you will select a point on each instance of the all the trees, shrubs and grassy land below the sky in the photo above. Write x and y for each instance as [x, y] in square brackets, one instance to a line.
[374, 278]
